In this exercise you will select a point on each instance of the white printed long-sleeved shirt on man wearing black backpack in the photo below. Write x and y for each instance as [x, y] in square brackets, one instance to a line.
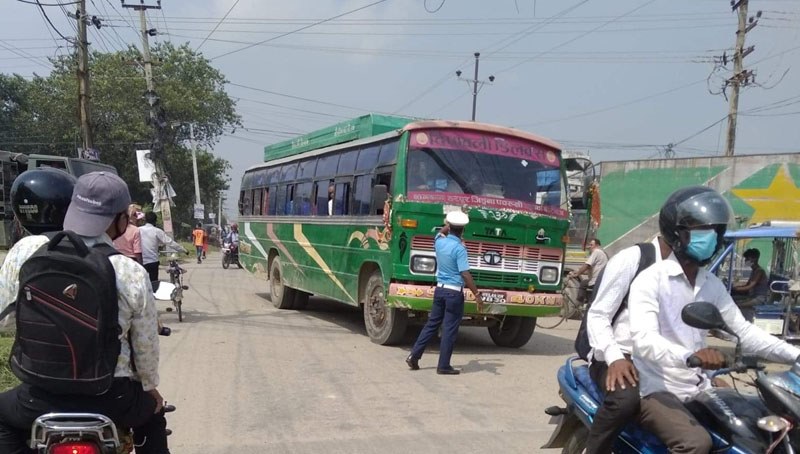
[137, 309]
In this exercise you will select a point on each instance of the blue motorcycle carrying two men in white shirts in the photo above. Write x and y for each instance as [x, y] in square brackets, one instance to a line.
[767, 423]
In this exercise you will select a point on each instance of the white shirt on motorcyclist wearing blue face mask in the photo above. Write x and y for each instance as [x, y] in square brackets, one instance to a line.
[662, 341]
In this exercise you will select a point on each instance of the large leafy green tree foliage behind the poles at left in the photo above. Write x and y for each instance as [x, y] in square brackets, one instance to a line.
[41, 116]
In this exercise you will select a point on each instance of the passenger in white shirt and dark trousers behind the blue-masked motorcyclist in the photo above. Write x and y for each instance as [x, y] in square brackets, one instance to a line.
[611, 367]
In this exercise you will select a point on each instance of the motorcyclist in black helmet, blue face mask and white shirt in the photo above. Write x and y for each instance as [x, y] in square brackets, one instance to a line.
[692, 221]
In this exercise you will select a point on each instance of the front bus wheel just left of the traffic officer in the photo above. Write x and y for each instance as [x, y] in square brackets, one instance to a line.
[385, 325]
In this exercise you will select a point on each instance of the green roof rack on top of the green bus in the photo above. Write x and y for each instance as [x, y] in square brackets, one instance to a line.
[358, 128]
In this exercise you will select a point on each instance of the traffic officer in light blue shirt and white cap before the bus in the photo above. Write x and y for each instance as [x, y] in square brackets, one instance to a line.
[452, 276]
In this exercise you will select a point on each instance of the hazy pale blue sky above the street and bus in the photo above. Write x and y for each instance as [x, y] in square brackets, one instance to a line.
[620, 80]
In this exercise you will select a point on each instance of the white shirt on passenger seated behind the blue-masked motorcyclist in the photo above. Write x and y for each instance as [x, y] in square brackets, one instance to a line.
[611, 343]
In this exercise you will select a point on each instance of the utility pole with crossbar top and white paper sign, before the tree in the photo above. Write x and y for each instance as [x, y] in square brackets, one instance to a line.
[156, 119]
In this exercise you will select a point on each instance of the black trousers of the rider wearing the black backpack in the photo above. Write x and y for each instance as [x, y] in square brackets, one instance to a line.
[126, 403]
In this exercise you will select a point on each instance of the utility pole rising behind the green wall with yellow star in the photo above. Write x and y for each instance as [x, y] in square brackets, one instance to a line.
[740, 76]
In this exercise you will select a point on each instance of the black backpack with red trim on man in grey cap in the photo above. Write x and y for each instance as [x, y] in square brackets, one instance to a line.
[68, 334]
